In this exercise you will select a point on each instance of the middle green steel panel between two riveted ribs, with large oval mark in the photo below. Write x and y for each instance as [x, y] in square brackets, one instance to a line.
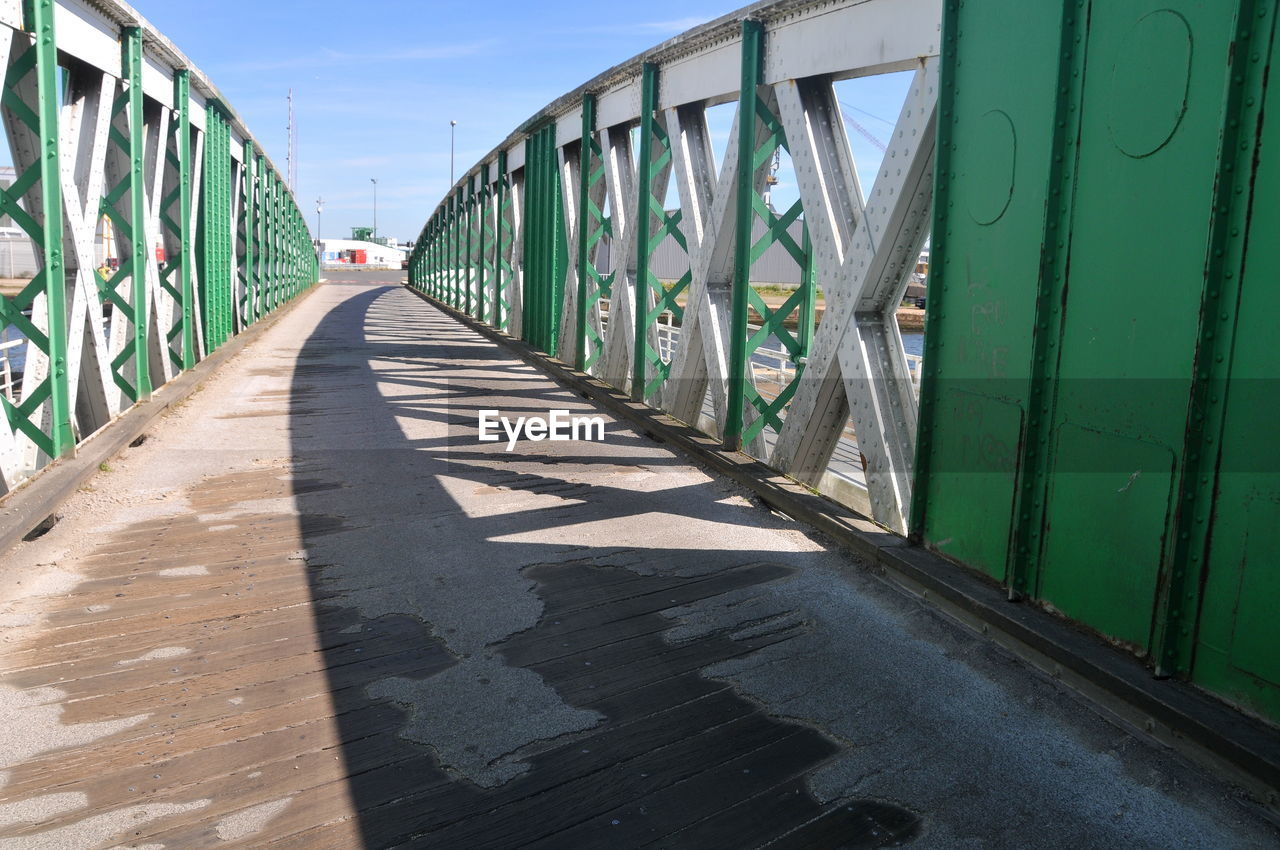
[1127, 353]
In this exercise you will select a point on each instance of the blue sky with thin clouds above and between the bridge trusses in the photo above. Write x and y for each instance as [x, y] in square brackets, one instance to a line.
[377, 84]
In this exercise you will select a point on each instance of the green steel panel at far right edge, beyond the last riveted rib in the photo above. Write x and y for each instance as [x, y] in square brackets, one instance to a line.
[1236, 651]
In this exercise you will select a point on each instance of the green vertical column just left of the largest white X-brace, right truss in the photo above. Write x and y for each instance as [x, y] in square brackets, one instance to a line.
[744, 191]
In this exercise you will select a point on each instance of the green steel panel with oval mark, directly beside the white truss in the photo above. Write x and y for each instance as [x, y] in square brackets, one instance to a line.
[991, 198]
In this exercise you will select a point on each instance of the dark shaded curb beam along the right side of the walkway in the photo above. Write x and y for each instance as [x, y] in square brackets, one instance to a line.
[1236, 747]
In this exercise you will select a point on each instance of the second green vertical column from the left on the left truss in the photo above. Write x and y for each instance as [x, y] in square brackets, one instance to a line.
[132, 70]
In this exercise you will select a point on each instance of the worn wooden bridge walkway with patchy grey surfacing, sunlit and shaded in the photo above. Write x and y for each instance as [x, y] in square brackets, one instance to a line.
[313, 611]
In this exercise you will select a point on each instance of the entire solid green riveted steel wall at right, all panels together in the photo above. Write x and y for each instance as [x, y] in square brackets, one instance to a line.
[1099, 401]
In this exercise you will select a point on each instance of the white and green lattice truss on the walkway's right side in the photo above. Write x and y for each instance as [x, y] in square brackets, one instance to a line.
[566, 213]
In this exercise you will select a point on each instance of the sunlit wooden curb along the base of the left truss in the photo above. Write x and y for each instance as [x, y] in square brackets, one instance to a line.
[39, 497]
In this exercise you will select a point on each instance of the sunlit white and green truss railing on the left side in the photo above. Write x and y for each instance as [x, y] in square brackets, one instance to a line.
[108, 120]
